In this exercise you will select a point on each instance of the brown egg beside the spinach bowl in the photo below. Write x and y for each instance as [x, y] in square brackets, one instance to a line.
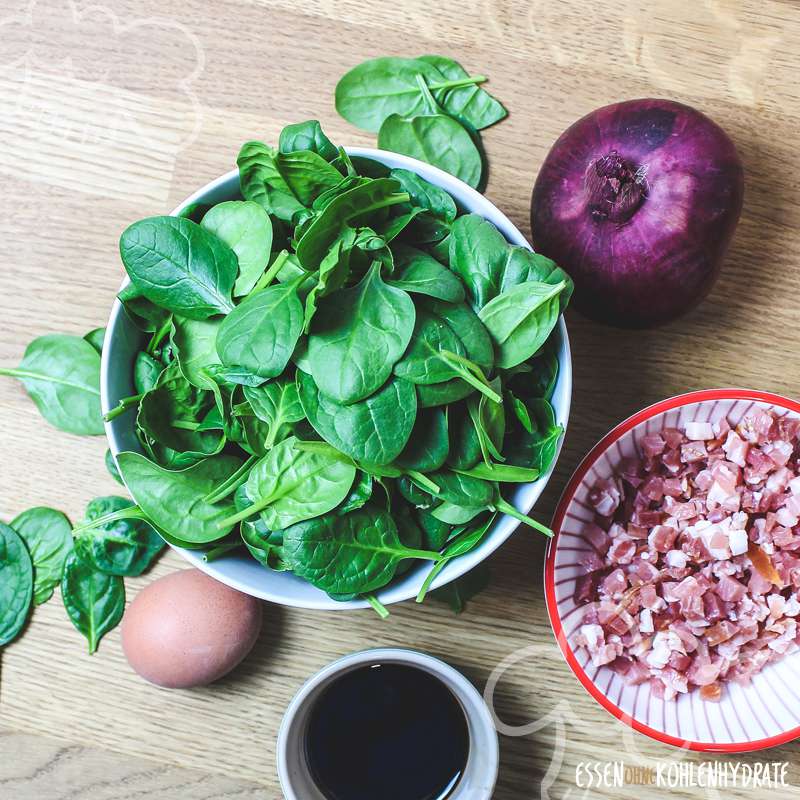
[187, 629]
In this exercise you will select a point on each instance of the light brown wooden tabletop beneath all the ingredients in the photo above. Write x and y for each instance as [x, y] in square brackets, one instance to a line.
[120, 112]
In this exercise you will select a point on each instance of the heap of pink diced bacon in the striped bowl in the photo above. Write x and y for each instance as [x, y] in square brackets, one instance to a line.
[692, 578]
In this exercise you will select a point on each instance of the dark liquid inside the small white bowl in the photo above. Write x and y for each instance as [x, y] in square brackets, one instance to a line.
[387, 732]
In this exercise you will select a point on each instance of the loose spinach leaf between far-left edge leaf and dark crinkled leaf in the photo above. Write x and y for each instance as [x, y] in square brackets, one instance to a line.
[47, 534]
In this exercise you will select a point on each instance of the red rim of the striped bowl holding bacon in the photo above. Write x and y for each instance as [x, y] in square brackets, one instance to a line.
[649, 412]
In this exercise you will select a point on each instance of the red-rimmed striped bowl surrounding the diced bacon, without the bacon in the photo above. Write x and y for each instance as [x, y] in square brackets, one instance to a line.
[764, 714]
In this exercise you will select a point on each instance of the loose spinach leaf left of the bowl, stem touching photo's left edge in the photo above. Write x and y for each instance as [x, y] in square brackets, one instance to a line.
[61, 374]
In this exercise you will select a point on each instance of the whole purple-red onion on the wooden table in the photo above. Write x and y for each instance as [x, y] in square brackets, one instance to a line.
[638, 201]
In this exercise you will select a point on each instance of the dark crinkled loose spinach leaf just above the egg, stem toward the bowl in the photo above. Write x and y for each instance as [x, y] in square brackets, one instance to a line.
[124, 547]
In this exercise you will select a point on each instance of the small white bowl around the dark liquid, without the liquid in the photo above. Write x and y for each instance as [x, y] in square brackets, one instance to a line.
[480, 772]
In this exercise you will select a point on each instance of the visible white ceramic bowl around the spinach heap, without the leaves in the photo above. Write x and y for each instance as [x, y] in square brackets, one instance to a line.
[123, 341]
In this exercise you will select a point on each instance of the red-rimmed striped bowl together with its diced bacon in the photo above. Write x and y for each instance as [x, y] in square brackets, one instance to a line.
[673, 579]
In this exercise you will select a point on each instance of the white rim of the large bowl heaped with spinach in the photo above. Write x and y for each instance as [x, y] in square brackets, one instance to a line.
[503, 526]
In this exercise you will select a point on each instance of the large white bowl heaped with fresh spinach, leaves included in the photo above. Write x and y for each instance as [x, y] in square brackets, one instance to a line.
[334, 377]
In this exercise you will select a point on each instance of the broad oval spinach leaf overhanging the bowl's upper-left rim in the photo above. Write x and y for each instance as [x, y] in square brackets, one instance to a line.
[180, 266]
